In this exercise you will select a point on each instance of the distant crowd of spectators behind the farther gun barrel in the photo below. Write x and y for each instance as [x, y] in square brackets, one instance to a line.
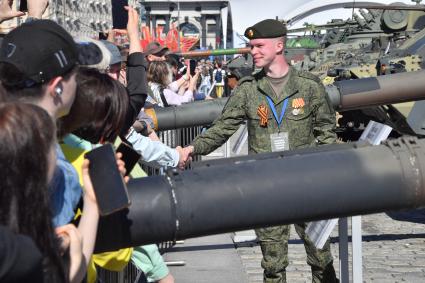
[173, 80]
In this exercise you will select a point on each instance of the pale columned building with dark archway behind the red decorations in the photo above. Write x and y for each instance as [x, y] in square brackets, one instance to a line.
[208, 21]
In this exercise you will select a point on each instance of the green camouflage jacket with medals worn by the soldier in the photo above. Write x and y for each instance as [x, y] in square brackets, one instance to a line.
[313, 124]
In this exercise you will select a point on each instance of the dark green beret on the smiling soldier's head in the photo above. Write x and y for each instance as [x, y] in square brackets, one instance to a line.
[266, 29]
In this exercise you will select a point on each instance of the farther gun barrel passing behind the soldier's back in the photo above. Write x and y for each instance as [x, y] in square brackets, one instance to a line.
[344, 95]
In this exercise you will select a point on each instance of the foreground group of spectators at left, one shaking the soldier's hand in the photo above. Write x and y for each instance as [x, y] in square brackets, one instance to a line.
[80, 87]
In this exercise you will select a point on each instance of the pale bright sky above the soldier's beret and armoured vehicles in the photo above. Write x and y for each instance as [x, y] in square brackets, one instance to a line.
[245, 13]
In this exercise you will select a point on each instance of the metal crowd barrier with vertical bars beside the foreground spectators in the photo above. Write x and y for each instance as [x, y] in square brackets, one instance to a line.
[172, 138]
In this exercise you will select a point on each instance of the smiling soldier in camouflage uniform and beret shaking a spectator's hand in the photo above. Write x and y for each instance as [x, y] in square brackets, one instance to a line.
[285, 109]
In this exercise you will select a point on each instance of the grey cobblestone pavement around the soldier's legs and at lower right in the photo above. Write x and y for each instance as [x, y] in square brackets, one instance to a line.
[393, 251]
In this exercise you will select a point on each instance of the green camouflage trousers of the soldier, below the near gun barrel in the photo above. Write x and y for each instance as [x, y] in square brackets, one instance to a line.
[274, 246]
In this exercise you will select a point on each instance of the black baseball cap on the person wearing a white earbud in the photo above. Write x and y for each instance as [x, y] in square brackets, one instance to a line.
[42, 50]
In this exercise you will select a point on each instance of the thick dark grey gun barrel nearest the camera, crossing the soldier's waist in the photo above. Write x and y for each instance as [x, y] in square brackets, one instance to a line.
[258, 193]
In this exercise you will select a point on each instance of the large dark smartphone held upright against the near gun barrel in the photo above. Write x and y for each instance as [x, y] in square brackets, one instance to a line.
[108, 184]
